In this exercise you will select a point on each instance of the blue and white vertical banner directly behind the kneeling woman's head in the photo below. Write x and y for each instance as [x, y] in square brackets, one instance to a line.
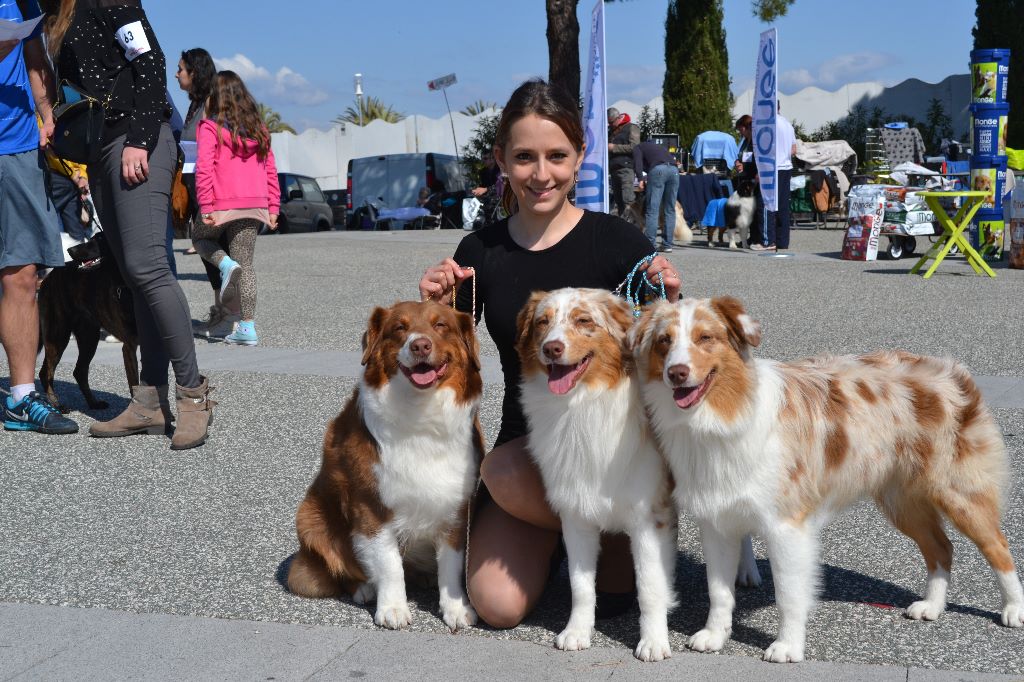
[592, 190]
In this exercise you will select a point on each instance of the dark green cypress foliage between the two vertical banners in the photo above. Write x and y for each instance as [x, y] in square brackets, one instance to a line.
[697, 76]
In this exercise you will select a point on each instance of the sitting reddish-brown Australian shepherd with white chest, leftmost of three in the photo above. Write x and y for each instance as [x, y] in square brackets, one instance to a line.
[400, 466]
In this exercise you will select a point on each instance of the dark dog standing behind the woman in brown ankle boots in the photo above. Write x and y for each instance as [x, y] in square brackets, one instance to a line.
[80, 302]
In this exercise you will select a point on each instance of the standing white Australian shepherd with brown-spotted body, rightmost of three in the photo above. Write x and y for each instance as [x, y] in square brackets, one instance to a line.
[777, 449]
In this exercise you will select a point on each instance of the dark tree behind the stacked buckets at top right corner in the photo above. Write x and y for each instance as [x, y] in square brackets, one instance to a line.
[1001, 25]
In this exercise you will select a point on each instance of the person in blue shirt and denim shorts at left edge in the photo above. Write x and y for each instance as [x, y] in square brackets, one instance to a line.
[30, 233]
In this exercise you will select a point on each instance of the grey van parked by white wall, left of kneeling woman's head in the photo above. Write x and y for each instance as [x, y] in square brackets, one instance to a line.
[395, 181]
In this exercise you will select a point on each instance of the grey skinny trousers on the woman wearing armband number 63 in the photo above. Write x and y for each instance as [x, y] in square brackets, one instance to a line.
[136, 224]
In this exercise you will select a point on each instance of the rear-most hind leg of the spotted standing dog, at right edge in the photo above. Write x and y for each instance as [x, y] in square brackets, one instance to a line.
[977, 517]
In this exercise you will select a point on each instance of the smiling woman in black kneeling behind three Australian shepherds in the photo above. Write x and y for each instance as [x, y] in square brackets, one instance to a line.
[546, 244]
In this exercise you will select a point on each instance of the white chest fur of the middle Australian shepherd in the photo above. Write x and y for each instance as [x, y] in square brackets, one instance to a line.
[598, 459]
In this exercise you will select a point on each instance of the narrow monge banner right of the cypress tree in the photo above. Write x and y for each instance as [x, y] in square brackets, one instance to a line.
[765, 109]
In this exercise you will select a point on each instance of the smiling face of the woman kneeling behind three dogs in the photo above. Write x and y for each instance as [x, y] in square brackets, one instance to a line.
[541, 164]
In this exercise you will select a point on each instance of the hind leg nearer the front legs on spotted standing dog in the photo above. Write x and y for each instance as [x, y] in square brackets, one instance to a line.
[922, 523]
